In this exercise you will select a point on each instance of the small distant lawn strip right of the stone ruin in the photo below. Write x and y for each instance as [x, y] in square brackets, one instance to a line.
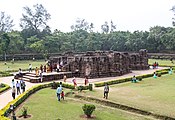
[161, 62]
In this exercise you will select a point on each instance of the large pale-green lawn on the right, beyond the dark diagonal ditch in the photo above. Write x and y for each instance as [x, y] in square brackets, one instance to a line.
[154, 95]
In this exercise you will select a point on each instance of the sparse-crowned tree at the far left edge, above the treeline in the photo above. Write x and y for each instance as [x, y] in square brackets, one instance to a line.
[6, 23]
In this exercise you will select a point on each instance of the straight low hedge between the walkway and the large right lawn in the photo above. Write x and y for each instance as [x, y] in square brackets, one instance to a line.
[159, 72]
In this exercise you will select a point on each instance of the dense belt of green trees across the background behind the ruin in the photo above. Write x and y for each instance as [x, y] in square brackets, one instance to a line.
[36, 36]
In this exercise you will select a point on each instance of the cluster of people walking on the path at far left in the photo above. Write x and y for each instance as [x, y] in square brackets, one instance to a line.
[18, 87]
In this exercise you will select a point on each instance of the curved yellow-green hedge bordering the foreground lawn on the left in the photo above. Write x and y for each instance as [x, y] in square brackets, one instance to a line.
[4, 112]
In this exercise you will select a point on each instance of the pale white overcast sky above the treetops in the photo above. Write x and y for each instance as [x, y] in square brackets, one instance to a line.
[126, 14]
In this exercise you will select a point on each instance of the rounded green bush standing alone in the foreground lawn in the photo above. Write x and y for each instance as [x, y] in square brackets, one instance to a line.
[88, 109]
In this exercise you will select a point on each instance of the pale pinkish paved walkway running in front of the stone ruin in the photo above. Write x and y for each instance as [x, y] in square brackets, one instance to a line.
[6, 97]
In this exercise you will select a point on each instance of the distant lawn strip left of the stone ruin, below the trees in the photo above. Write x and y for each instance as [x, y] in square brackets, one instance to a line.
[24, 64]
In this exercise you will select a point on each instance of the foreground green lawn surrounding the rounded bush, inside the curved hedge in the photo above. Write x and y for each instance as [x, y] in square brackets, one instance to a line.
[43, 105]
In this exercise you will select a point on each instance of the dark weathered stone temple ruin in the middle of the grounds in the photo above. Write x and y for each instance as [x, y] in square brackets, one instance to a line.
[102, 64]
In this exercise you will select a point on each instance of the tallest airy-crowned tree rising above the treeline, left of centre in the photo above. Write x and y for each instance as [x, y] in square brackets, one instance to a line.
[36, 19]
